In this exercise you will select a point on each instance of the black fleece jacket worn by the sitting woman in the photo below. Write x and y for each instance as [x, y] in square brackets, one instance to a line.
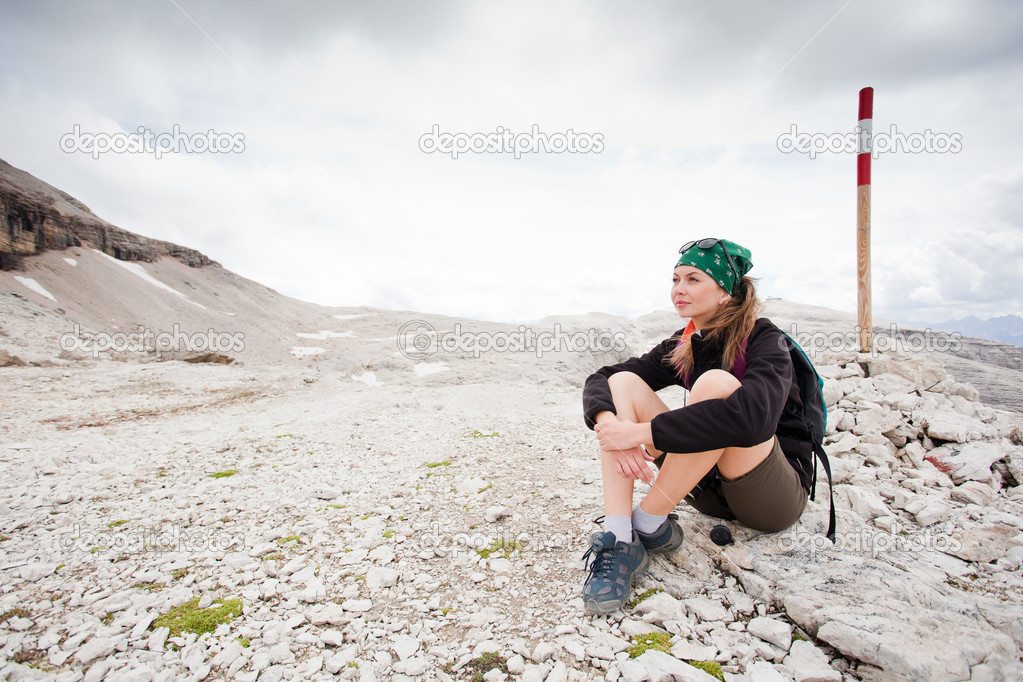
[766, 405]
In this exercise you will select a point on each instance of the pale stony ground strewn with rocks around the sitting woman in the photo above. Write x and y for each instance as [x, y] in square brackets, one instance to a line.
[432, 527]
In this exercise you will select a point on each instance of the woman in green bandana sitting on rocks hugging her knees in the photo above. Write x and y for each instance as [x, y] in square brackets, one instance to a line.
[739, 449]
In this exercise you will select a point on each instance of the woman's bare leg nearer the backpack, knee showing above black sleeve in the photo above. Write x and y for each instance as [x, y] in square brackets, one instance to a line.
[681, 473]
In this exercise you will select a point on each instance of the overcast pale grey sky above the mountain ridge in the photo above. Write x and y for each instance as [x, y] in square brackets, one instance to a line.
[328, 196]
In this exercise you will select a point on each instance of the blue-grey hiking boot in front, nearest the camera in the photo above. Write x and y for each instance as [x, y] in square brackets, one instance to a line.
[612, 567]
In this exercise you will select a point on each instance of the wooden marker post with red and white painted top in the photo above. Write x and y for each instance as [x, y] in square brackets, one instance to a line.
[864, 149]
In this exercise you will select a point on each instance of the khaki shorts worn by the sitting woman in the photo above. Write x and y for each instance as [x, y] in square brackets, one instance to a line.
[768, 498]
